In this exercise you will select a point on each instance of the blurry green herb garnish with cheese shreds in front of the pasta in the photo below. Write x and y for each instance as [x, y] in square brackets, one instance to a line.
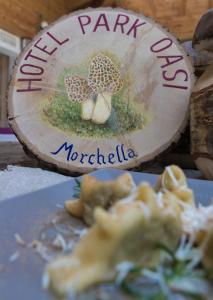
[179, 275]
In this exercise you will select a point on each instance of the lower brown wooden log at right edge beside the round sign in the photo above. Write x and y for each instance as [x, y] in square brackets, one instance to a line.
[202, 123]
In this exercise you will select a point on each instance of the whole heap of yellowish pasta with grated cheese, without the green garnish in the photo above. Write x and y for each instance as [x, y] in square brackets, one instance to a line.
[127, 224]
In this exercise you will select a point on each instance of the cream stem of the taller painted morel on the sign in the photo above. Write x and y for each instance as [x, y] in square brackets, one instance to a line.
[103, 107]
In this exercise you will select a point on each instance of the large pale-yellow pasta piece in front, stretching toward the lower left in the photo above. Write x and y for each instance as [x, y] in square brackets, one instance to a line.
[129, 231]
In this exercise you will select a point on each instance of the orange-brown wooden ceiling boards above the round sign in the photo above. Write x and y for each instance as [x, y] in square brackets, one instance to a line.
[23, 17]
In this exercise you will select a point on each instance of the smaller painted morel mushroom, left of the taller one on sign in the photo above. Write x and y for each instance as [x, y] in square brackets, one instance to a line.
[79, 91]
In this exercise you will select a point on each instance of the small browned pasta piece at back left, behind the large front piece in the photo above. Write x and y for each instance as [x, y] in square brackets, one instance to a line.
[94, 192]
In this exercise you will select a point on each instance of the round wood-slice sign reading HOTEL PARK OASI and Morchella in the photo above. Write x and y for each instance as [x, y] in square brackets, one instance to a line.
[100, 88]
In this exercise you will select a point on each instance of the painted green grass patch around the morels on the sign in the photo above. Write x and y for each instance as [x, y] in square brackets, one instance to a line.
[66, 115]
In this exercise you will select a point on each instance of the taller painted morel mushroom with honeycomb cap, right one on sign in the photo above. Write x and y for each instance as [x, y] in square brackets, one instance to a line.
[104, 79]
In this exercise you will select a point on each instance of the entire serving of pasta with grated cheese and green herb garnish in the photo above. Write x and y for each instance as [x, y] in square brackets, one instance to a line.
[159, 233]
